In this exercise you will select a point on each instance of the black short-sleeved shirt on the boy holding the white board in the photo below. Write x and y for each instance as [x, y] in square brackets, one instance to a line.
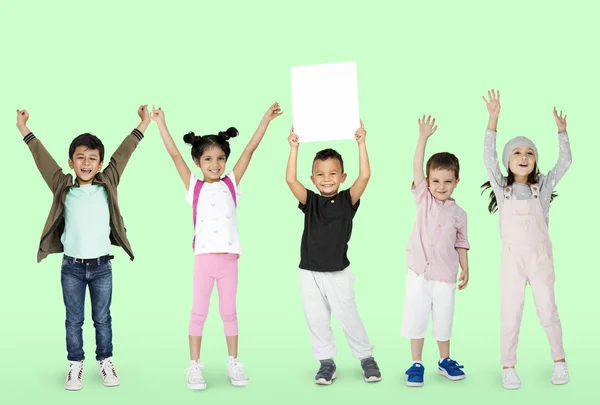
[327, 231]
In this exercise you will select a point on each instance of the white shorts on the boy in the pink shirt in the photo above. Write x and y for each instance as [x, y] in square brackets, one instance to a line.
[424, 299]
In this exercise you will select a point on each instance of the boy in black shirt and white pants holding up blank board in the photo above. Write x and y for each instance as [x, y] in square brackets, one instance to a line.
[326, 280]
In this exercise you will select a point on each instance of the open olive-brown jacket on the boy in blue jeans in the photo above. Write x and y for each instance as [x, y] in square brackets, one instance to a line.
[60, 183]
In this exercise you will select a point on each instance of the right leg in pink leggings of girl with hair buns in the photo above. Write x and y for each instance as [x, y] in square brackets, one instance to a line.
[227, 282]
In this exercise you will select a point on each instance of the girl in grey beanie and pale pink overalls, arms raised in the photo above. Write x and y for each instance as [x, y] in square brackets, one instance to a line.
[522, 200]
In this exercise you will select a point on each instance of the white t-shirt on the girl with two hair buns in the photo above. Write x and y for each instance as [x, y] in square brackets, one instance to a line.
[216, 220]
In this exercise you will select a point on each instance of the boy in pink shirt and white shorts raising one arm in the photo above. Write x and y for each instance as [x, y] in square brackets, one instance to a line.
[437, 245]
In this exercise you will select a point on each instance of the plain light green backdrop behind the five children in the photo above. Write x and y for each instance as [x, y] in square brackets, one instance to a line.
[80, 66]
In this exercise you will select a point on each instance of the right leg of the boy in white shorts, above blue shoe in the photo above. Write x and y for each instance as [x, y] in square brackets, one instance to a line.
[443, 315]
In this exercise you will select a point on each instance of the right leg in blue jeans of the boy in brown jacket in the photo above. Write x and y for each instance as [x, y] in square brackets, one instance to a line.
[100, 295]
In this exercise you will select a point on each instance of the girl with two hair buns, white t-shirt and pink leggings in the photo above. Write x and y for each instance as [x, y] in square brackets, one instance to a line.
[216, 242]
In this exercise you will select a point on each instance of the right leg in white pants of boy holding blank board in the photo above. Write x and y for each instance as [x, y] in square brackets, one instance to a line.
[339, 290]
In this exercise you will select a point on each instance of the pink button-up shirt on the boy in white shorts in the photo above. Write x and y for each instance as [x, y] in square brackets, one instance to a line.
[439, 228]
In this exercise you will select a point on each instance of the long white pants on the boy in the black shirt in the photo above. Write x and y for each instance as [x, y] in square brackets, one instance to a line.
[324, 293]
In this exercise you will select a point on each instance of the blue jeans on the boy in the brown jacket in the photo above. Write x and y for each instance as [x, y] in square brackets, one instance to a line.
[75, 277]
